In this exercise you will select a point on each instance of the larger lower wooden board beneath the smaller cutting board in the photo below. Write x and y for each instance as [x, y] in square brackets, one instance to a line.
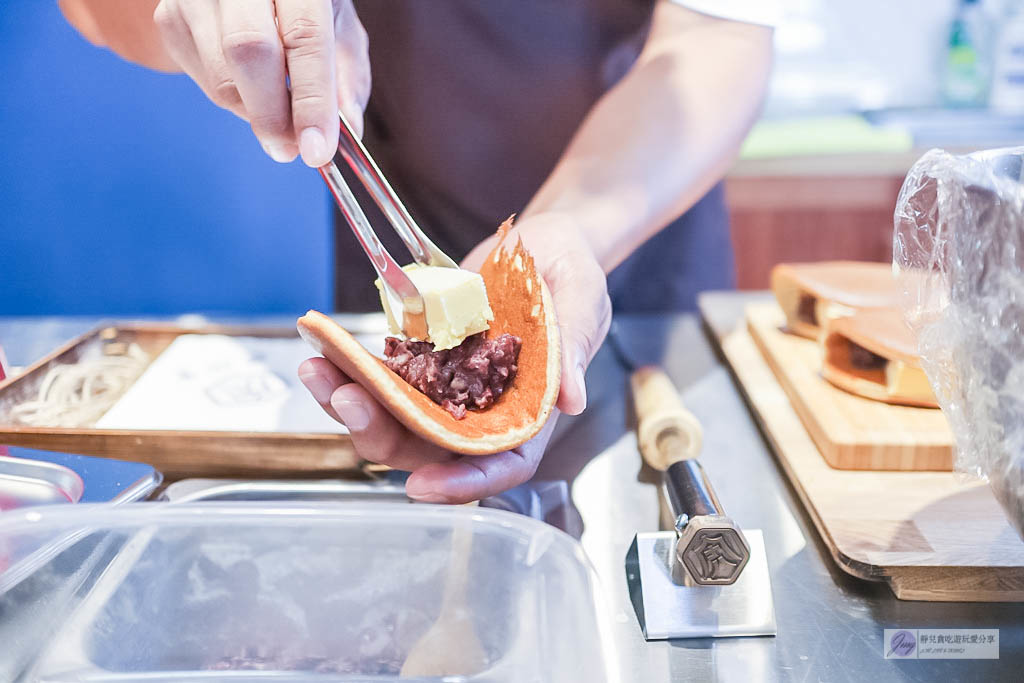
[927, 535]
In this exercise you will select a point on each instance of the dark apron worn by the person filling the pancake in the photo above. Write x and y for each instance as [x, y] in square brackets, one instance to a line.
[474, 103]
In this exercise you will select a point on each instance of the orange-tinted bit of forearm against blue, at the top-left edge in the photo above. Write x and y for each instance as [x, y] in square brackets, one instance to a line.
[124, 27]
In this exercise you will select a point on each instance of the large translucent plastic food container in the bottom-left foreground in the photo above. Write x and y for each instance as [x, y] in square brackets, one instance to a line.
[293, 592]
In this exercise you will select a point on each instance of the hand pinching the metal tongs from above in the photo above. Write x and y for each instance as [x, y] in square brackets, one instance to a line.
[244, 55]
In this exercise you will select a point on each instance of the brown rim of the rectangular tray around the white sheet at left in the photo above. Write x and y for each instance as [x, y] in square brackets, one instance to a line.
[177, 454]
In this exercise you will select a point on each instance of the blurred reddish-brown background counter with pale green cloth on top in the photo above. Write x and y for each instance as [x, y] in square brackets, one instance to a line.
[802, 192]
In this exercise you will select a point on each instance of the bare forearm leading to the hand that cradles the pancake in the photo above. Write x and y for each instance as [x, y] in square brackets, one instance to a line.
[664, 136]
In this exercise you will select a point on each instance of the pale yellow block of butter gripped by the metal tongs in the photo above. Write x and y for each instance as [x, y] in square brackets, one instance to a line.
[456, 304]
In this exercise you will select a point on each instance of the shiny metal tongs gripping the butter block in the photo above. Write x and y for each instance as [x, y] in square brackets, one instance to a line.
[404, 300]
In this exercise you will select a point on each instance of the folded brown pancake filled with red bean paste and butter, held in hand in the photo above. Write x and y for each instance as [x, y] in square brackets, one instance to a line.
[487, 378]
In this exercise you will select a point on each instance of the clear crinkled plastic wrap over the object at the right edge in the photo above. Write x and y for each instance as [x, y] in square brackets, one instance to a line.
[959, 254]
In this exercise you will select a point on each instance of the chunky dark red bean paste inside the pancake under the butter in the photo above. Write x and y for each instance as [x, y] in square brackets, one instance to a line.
[472, 376]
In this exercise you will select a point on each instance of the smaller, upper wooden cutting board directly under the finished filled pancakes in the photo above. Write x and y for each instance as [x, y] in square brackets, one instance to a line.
[850, 432]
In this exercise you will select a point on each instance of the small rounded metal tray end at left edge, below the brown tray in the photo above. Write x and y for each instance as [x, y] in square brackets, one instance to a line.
[28, 483]
